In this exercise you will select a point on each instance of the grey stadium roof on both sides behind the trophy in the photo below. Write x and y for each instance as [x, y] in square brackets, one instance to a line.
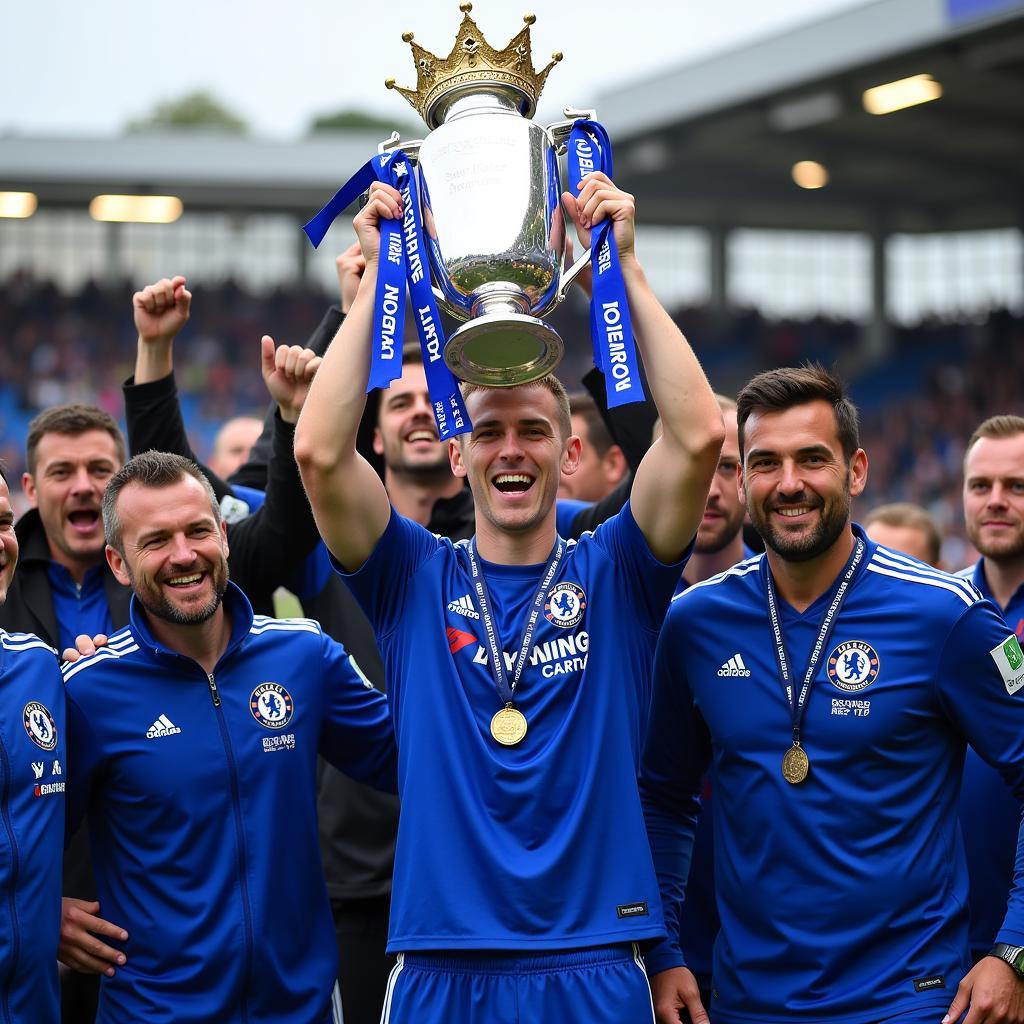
[710, 144]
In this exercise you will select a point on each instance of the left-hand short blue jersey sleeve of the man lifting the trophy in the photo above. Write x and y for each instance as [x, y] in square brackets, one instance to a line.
[380, 585]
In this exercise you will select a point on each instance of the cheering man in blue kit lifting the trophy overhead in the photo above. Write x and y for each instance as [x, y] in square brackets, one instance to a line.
[519, 671]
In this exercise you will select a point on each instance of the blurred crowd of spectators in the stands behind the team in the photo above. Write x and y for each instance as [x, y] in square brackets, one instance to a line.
[919, 405]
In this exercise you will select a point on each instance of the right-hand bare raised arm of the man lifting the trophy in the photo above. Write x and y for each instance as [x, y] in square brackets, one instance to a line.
[670, 488]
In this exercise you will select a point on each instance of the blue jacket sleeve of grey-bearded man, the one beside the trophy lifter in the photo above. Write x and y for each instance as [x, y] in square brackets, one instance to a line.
[357, 736]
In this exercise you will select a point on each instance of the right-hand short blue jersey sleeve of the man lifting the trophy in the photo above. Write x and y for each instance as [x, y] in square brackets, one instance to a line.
[646, 582]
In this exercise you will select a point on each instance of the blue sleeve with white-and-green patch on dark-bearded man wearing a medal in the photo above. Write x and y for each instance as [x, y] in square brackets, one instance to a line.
[982, 689]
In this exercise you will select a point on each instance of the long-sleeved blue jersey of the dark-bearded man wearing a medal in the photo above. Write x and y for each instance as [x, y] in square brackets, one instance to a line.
[842, 899]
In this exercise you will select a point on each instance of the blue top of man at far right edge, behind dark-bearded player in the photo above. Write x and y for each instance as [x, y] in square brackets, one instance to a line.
[990, 814]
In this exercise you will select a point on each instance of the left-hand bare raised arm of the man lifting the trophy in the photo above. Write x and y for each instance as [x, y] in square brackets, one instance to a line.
[349, 499]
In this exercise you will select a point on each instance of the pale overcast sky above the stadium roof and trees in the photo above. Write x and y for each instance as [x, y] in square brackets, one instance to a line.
[87, 68]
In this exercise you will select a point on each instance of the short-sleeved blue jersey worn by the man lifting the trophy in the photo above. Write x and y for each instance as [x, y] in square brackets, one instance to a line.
[542, 845]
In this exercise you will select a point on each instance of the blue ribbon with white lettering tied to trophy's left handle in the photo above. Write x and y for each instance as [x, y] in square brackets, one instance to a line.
[403, 259]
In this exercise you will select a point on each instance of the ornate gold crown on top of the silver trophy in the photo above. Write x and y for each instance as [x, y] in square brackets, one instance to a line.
[474, 60]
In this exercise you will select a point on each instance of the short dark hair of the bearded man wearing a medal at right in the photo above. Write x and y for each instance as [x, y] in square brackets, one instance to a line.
[778, 391]
